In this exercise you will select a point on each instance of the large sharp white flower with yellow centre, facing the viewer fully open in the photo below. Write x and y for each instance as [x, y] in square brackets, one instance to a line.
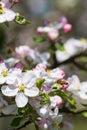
[22, 89]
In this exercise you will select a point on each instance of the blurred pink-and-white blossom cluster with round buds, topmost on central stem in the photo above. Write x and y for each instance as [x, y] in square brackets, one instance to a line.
[52, 28]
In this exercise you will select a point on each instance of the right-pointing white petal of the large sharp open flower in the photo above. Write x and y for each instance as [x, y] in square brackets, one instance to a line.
[32, 92]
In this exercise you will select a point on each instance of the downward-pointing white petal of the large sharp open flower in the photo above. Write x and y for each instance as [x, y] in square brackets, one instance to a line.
[21, 100]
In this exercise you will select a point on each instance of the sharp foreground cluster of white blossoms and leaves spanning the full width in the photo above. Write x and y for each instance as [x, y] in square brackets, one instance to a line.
[45, 91]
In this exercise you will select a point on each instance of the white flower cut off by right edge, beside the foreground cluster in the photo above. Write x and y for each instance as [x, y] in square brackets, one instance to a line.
[79, 92]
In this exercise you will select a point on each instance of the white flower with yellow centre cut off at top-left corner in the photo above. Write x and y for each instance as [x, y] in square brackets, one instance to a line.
[6, 14]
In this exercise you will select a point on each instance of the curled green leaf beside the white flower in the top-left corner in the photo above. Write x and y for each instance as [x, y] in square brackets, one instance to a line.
[19, 19]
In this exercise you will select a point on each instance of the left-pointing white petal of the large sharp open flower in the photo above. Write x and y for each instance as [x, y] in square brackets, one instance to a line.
[9, 92]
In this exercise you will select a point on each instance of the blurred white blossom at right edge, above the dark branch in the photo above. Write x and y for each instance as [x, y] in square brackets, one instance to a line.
[71, 48]
